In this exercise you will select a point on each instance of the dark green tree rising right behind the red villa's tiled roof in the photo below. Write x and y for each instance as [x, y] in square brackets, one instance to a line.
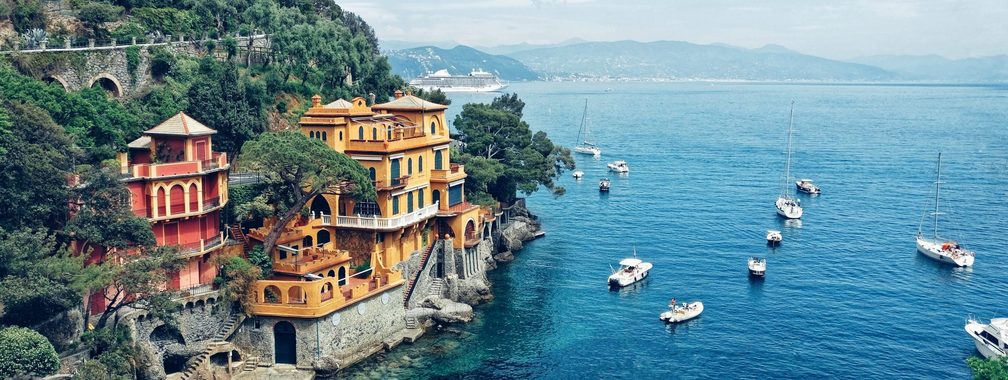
[222, 101]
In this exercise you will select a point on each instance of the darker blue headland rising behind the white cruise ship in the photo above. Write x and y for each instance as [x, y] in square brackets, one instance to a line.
[460, 60]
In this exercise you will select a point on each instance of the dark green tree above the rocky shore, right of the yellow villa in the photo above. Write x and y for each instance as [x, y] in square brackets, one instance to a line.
[496, 133]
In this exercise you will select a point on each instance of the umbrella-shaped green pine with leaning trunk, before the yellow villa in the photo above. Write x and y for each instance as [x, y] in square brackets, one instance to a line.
[295, 170]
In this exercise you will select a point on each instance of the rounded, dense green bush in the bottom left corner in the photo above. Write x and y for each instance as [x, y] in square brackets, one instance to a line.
[26, 352]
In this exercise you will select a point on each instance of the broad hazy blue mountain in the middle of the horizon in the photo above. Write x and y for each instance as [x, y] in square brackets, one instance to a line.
[685, 61]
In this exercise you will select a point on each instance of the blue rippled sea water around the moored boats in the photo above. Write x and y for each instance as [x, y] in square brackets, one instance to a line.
[846, 296]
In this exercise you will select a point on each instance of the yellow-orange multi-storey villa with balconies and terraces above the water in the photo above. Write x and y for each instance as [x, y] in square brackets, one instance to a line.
[345, 251]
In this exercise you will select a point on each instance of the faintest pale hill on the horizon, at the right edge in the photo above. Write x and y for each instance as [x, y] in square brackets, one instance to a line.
[939, 69]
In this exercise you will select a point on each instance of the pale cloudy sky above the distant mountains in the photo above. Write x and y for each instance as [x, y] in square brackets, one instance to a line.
[835, 30]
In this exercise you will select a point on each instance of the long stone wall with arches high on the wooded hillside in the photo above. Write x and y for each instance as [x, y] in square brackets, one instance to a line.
[107, 67]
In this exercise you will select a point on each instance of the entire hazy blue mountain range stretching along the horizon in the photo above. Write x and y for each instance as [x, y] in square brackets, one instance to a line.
[578, 60]
